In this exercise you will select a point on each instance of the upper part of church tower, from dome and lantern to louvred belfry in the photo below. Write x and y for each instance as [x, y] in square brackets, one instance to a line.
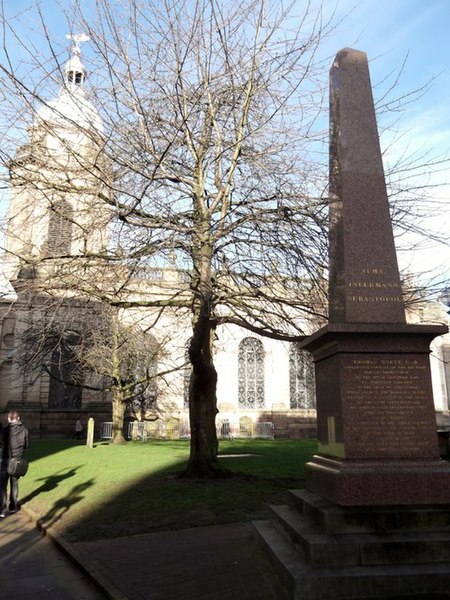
[59, 180]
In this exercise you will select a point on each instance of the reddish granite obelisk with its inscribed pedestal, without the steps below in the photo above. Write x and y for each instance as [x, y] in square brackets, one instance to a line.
[376, 424]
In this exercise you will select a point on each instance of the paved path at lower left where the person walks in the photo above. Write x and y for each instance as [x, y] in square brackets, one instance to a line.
[32, 568]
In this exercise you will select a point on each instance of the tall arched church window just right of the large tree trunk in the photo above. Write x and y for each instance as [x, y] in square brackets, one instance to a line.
[251, 373]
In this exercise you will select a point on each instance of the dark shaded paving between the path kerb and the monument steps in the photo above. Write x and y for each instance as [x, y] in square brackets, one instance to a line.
[221, 562]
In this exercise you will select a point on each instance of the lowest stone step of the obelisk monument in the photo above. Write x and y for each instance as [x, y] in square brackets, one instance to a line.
[394, 582]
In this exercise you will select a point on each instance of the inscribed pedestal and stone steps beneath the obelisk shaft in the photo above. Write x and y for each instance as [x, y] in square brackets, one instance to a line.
[374, 520]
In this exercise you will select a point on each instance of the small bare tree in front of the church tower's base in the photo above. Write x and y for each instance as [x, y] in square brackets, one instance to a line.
[80, 344]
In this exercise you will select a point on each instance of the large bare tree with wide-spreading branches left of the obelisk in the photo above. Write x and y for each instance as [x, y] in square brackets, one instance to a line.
[211, 118]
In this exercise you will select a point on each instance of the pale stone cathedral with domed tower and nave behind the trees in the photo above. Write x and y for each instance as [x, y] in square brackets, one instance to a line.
[58, 218]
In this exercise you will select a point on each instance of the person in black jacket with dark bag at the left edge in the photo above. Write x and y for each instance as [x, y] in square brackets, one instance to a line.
[14, 441]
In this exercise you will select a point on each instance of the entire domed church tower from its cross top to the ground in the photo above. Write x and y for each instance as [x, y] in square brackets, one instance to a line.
[57, 222]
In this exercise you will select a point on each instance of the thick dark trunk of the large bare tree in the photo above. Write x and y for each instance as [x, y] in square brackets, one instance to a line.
[203, 404]
